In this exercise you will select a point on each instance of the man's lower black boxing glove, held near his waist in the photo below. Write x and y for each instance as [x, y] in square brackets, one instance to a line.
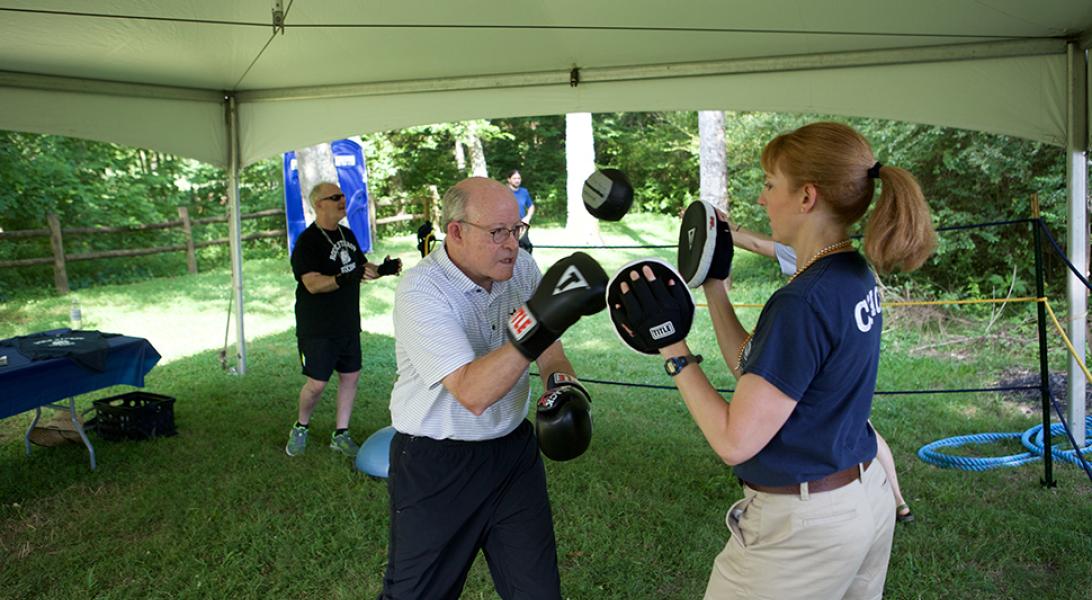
[564, 418]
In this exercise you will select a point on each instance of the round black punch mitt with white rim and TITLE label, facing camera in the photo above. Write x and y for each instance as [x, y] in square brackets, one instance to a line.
[651, 314]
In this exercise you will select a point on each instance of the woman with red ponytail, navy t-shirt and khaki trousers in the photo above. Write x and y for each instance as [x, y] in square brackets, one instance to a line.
[817, 516]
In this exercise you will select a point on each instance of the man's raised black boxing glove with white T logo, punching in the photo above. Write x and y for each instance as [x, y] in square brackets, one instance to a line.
[572, 289]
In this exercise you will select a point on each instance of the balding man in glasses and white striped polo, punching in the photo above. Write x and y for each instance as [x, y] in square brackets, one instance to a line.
[466, 474]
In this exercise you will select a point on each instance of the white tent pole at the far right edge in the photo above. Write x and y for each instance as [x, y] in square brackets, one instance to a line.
[1078, 232]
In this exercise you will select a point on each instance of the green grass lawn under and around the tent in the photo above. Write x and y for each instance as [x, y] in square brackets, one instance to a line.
[220, 512]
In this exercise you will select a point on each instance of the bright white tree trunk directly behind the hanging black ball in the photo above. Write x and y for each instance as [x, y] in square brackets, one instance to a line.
[581, 228]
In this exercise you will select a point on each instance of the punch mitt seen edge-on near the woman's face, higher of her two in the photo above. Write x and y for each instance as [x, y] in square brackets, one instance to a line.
[706, 249]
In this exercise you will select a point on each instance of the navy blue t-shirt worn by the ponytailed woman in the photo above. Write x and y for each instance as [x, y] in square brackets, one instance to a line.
[818, 342]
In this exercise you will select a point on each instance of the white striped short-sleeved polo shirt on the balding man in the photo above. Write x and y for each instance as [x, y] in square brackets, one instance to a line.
[444, 321]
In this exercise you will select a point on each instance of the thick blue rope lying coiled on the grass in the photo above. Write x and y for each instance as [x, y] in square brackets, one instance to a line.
[1031, 440]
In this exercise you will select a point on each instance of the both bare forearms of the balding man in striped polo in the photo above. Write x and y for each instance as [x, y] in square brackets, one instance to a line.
[480, 384]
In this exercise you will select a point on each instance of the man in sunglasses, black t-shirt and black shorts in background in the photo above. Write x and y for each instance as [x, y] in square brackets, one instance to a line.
[329, 267]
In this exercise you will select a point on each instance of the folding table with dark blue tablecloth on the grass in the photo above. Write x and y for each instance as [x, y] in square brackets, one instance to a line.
[27, 384]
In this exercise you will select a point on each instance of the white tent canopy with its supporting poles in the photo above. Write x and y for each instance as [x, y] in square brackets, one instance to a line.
[215, 80]
